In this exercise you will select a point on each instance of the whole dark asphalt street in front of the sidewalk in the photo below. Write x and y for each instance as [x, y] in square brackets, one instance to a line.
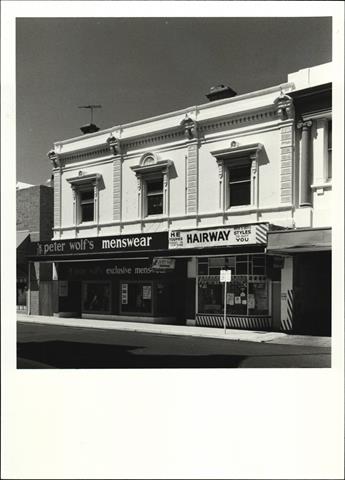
[56, 346]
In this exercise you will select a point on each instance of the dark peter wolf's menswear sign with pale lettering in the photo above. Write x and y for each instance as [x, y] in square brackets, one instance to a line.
[120, 243]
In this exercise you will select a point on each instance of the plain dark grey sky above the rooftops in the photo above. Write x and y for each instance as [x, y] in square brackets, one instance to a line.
[141, 67]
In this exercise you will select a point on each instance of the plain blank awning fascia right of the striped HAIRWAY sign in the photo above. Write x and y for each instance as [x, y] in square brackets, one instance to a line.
[299, 240]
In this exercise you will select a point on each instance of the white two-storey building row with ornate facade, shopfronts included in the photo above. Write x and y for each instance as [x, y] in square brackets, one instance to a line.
[147, 214]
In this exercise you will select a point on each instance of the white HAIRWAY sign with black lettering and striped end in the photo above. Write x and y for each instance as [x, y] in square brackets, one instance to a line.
[218, 237]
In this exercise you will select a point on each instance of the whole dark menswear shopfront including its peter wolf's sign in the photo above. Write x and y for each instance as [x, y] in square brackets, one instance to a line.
[117, 277]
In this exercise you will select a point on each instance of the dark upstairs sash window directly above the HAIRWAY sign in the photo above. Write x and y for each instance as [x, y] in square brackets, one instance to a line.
[239, 185]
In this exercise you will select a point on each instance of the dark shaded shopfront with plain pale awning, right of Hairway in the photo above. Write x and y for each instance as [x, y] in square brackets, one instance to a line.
[306, 281]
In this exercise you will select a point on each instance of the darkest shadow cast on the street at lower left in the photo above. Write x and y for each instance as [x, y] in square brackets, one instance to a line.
[60, 354]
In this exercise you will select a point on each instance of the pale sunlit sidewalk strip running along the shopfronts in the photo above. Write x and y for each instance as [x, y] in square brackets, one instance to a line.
[183, 330]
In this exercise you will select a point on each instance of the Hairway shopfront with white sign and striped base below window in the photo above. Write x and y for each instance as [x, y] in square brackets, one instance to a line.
[240, 249]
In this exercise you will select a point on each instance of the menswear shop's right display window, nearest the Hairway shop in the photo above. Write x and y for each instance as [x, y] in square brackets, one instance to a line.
[136, 298]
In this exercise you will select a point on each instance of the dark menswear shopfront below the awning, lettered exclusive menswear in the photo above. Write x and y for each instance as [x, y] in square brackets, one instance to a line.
[130, 289]
